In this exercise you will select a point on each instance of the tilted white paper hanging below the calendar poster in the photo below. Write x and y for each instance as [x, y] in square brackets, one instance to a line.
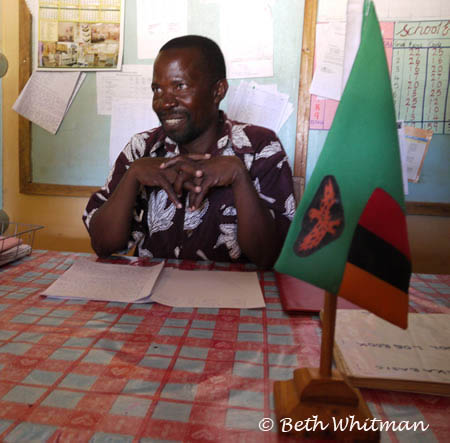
[47, 96]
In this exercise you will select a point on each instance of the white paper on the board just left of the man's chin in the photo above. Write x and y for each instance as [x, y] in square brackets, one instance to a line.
[139, 117]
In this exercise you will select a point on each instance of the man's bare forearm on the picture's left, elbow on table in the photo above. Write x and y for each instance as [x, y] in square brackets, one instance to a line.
[110, 226]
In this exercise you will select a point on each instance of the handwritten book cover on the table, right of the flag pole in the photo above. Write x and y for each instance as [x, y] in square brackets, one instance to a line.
[375, 353]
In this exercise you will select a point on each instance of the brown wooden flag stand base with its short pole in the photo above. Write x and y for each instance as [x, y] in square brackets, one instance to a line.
[320, 403]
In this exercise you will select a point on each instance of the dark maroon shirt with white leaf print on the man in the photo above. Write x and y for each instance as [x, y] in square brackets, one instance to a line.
[161, 230]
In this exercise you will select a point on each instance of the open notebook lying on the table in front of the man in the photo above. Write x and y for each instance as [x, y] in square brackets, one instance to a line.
[89, 280]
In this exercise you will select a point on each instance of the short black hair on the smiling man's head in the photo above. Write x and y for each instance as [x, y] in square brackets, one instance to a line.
[210, 50]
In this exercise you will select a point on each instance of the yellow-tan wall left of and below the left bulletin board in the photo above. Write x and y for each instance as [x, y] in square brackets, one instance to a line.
[60, 215]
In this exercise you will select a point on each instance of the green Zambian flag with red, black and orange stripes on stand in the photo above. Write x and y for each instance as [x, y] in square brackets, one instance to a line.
[349, 233]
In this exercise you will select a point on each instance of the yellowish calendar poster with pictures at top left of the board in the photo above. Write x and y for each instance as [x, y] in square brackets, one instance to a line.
[79, 35]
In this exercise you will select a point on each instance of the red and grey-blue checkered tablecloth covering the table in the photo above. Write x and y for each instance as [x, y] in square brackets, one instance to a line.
[113, 372]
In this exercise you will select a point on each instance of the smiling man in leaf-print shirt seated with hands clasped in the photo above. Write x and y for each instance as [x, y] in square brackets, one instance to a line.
[200, 186]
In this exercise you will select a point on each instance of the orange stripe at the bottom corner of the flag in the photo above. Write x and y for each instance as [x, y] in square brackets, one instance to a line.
[375, 295]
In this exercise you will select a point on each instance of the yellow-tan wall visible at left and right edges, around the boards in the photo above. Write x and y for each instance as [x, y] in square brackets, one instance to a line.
[429, 236]
